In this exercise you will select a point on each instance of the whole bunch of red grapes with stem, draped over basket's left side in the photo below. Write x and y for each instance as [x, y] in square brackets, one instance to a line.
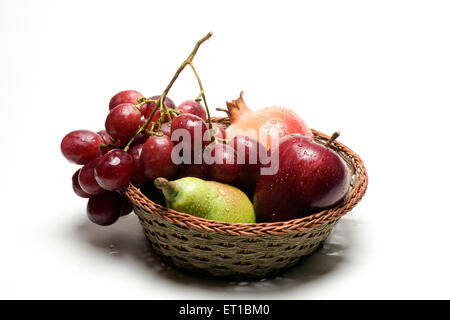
[144, 139]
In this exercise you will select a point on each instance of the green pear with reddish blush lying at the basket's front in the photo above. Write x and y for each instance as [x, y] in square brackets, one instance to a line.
[207, 199]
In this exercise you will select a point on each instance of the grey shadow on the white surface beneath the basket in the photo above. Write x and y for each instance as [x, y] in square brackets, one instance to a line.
[125, 240]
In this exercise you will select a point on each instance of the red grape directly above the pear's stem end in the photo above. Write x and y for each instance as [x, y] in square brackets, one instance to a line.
[156, 158]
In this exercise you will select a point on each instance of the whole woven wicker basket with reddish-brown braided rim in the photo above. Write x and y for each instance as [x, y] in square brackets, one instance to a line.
[243, 250]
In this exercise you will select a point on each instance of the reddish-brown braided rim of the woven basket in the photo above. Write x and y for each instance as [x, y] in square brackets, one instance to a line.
[185, 220]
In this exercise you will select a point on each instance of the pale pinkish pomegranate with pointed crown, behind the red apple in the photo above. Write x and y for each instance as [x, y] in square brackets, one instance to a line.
[267, 125]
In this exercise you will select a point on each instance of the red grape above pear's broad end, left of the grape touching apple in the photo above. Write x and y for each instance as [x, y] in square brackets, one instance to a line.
[222, 162]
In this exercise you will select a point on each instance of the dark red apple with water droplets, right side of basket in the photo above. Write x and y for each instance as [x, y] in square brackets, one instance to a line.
[311, 177]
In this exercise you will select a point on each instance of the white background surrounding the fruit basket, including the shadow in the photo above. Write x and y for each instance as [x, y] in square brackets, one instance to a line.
[378, 71]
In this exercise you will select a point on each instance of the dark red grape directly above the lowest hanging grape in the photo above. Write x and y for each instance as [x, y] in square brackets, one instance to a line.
[114, 170]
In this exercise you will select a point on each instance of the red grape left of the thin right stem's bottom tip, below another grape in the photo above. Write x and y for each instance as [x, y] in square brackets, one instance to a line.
[189, 129]
